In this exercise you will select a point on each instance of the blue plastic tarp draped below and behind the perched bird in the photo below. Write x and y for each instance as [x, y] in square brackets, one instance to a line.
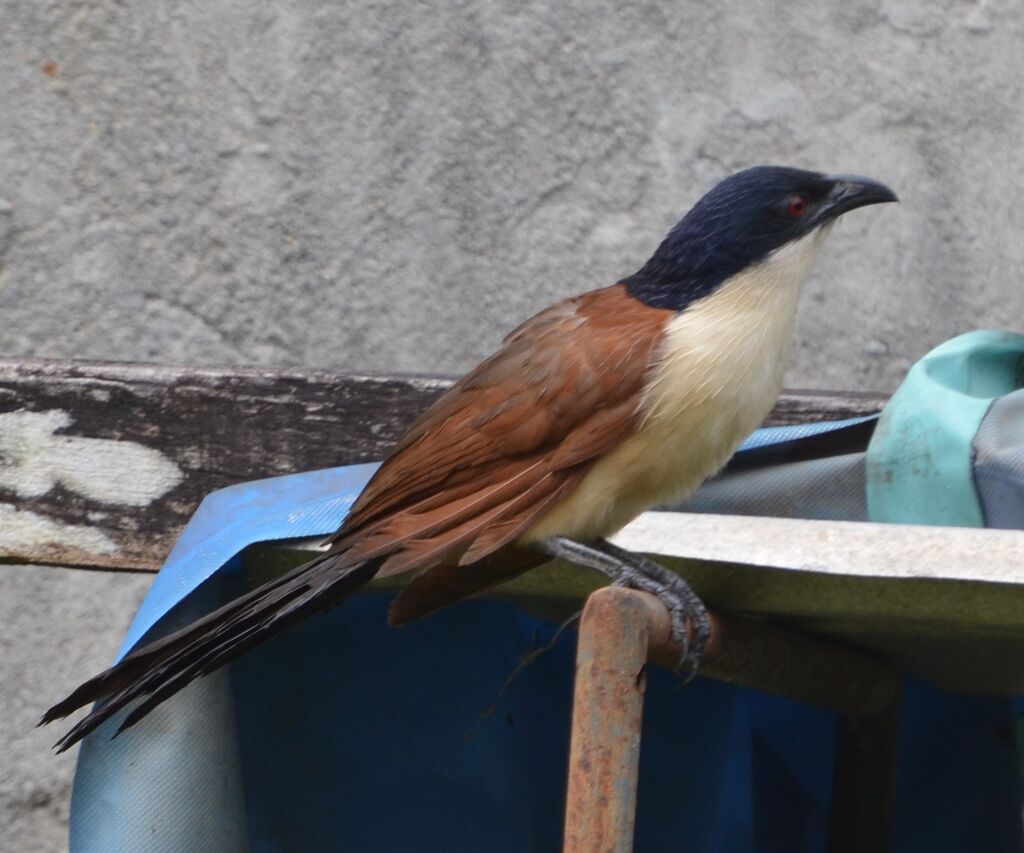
[346, 735]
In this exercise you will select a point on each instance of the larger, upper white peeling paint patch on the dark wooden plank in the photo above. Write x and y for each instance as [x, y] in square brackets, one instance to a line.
[34, 460]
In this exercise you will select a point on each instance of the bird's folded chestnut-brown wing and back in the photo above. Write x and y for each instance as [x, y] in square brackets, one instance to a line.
[508, 440]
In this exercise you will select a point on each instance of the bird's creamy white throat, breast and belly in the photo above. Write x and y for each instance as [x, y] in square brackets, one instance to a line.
[714, 379]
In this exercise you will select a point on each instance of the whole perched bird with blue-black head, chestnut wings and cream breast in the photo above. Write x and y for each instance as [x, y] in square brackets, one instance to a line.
[591, 412]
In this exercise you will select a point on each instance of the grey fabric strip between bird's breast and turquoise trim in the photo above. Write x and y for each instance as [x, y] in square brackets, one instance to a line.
[831, 489]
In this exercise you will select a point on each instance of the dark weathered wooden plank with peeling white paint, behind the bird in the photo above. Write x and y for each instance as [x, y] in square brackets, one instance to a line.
[102, 464]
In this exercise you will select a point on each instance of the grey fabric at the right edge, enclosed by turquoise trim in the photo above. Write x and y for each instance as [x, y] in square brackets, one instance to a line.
[999, 463]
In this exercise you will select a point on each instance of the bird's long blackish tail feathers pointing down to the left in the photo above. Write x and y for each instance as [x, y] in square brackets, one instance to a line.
[159, 670]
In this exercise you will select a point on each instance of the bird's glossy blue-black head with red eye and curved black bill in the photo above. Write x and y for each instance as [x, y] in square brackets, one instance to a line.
[741, 223]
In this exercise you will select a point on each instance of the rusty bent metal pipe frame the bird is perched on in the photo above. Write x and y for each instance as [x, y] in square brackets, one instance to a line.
[621, 630]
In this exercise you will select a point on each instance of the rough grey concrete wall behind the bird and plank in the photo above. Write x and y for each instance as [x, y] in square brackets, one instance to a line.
[389, 186]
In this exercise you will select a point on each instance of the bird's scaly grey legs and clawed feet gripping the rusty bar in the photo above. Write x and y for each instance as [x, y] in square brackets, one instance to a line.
[627, 569]
